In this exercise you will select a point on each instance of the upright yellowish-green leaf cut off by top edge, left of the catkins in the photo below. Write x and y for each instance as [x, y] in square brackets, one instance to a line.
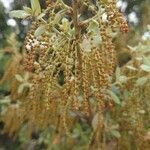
[36, 8]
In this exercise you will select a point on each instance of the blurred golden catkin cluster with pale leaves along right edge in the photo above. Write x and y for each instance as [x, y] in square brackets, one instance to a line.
[133, 116]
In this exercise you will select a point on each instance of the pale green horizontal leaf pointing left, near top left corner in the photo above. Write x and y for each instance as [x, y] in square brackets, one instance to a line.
[19, 14]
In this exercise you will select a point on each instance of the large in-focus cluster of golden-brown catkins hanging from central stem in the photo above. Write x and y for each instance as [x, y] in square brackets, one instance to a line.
[71, 63]
